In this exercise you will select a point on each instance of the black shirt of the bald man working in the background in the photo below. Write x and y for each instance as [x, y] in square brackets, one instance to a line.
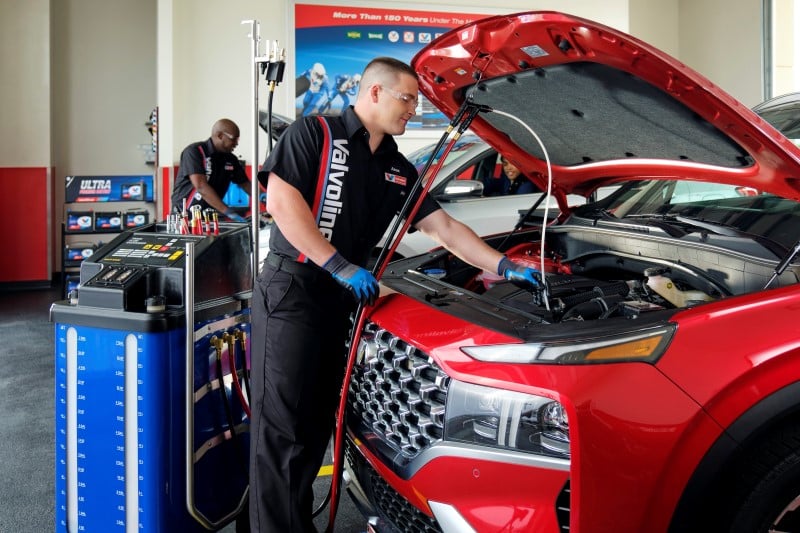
[220, 169]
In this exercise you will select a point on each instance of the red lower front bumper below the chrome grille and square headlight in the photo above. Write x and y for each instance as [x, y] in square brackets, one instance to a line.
[464, 491]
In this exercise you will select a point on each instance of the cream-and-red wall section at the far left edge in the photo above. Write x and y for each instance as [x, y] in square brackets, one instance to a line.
[26, 178]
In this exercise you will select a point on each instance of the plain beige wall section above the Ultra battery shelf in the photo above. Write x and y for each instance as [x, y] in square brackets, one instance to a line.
[104, 85]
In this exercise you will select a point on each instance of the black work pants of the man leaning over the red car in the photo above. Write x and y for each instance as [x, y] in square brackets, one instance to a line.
[300, 325]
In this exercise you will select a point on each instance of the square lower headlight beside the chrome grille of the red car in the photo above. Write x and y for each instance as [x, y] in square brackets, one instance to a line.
[506, 419]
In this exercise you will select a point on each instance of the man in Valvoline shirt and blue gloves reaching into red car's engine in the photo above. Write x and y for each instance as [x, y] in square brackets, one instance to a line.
[334, 185]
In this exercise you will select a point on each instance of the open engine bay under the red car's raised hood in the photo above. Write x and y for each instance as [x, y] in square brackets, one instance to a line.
[592, 284]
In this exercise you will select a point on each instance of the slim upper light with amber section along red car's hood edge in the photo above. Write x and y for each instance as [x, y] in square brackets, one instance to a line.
[643, 345]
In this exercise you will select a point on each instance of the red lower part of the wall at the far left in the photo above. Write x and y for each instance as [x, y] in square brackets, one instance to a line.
[25, 236]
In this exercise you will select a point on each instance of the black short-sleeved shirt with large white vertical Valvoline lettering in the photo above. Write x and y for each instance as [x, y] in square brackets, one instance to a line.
[353, 193]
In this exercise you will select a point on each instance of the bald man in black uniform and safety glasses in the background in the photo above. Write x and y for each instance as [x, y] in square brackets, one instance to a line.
[207, 169]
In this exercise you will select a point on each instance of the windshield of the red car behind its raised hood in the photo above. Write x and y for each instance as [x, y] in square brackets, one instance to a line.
[701, 206]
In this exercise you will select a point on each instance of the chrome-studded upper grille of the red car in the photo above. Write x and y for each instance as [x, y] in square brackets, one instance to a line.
[398, 392]
